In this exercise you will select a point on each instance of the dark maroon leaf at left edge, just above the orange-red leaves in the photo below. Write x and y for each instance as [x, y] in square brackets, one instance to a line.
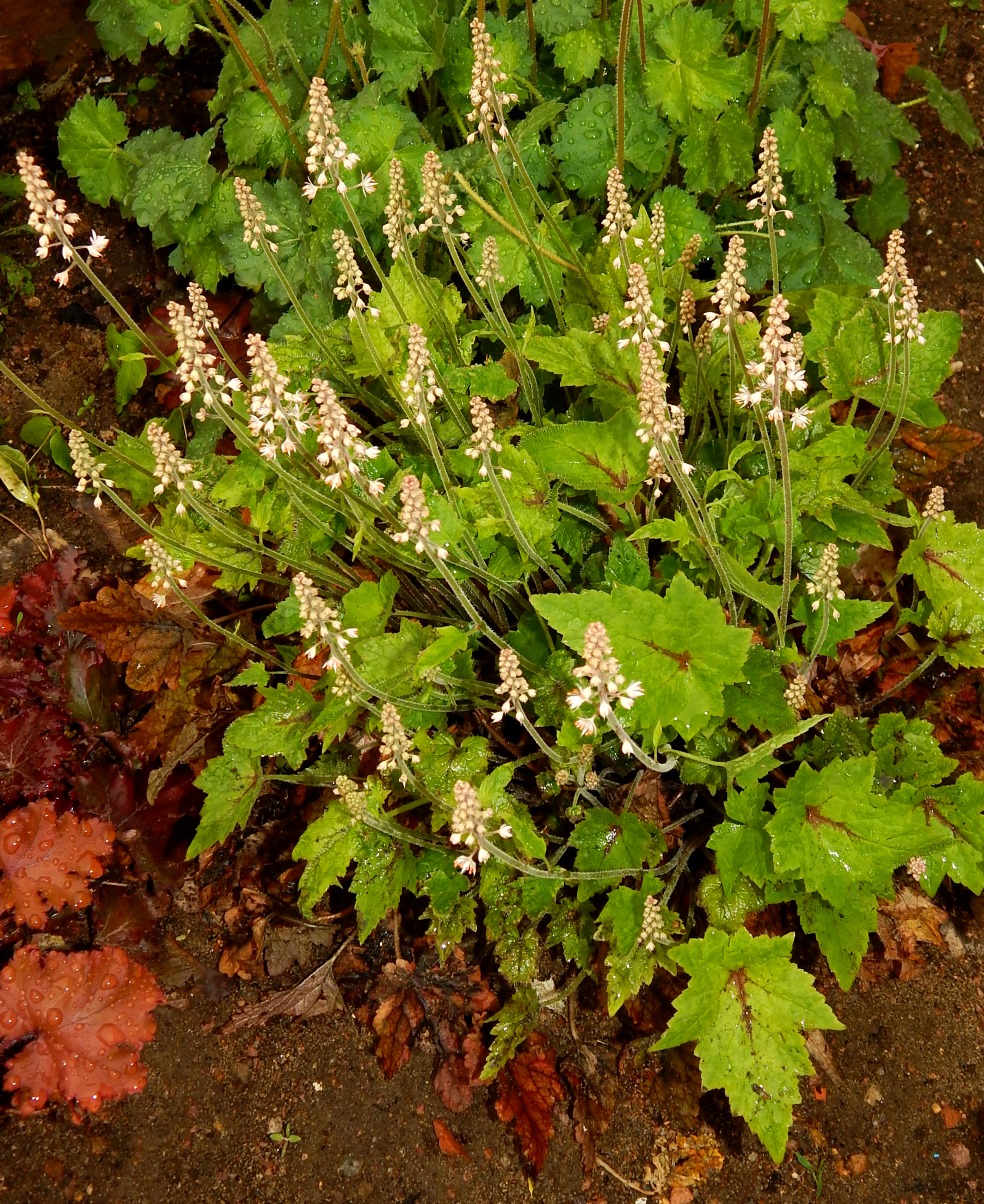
[36, 754]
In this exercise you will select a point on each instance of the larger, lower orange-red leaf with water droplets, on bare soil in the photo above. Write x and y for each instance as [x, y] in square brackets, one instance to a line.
[90, 1014]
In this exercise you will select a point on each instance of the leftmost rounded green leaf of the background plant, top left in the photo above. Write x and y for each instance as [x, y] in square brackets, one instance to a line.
[90, 146]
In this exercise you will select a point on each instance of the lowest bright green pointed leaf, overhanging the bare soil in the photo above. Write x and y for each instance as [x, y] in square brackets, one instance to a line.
[749, 1010]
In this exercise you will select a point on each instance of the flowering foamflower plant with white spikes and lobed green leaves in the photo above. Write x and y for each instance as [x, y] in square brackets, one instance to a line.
[540, 556]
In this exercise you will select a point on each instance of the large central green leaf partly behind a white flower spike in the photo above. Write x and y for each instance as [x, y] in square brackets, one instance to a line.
[680, 647]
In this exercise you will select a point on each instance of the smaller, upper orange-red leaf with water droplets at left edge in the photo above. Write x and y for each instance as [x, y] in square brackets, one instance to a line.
[48, 860]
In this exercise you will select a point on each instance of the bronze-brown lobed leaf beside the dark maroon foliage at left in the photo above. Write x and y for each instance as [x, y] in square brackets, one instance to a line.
[157, 648]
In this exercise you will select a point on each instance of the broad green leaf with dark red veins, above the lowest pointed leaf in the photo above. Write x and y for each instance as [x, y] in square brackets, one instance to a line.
[833, 831]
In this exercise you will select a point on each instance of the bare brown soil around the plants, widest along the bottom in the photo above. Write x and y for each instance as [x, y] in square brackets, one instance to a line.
[897, 1116]
